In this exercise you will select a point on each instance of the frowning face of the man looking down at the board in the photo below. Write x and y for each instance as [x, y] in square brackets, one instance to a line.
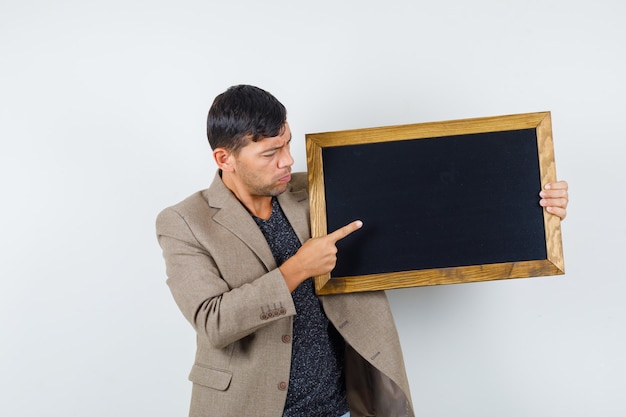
[264, 167]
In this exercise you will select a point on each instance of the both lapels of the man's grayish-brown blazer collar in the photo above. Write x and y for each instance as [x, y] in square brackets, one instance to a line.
[233, 216]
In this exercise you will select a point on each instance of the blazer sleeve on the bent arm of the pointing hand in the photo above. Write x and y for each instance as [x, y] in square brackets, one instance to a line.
[219, 310]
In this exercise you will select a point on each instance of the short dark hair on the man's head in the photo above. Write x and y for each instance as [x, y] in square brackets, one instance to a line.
[241, 113]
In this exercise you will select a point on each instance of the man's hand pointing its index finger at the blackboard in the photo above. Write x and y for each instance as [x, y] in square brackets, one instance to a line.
[317, 256]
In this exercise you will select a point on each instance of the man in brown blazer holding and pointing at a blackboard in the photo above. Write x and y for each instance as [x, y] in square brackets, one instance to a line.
[239, 256]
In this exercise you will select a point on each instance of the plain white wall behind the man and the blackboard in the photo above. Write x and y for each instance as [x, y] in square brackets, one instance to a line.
[102, 113]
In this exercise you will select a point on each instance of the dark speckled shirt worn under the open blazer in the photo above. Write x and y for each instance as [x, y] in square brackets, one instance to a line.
[316, 380]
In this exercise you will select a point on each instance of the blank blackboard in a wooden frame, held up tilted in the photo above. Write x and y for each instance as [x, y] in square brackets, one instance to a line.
[341, 177]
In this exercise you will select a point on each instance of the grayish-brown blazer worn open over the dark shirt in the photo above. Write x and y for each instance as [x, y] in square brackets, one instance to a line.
[225, 281]
